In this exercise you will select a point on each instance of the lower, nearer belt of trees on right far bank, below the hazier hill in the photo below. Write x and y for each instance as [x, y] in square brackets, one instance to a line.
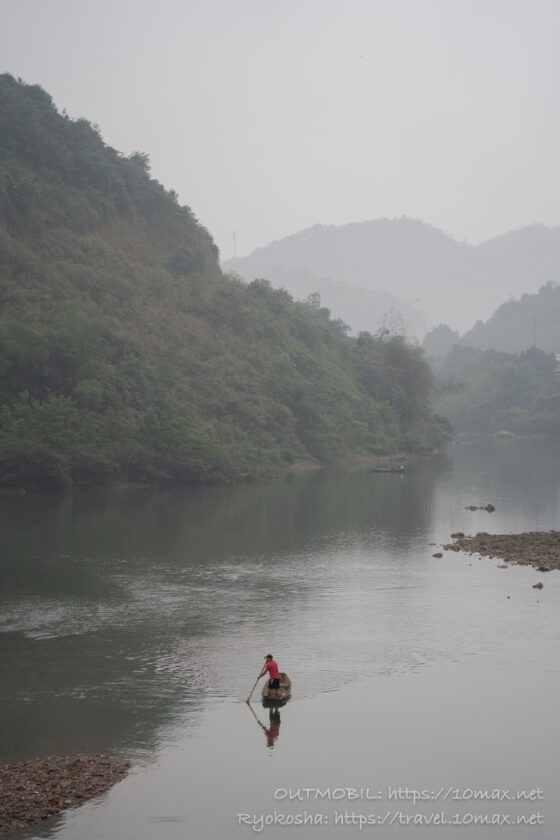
[495, 391]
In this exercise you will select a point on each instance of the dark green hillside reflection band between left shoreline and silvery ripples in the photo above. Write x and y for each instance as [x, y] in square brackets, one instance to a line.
[195, 525]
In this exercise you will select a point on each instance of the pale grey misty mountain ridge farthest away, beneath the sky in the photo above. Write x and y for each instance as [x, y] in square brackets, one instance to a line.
[430, 276]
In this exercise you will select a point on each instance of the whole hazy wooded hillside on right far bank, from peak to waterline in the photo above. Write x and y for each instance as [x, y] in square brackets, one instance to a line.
[493, 378]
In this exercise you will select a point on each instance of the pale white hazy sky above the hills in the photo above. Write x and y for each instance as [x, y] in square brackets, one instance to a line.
[269, 117]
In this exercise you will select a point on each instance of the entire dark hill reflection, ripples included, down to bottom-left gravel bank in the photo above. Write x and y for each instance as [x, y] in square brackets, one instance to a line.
[121, 610]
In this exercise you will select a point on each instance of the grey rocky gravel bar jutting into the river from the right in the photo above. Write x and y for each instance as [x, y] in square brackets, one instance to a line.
[540, 549]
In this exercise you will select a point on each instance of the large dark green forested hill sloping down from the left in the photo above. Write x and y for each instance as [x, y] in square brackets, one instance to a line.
[125, 354]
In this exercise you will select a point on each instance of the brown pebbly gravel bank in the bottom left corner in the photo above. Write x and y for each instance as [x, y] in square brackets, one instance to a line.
[41, 788]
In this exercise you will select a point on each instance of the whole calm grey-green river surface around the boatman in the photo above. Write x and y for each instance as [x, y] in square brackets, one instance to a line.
[136, 621]
